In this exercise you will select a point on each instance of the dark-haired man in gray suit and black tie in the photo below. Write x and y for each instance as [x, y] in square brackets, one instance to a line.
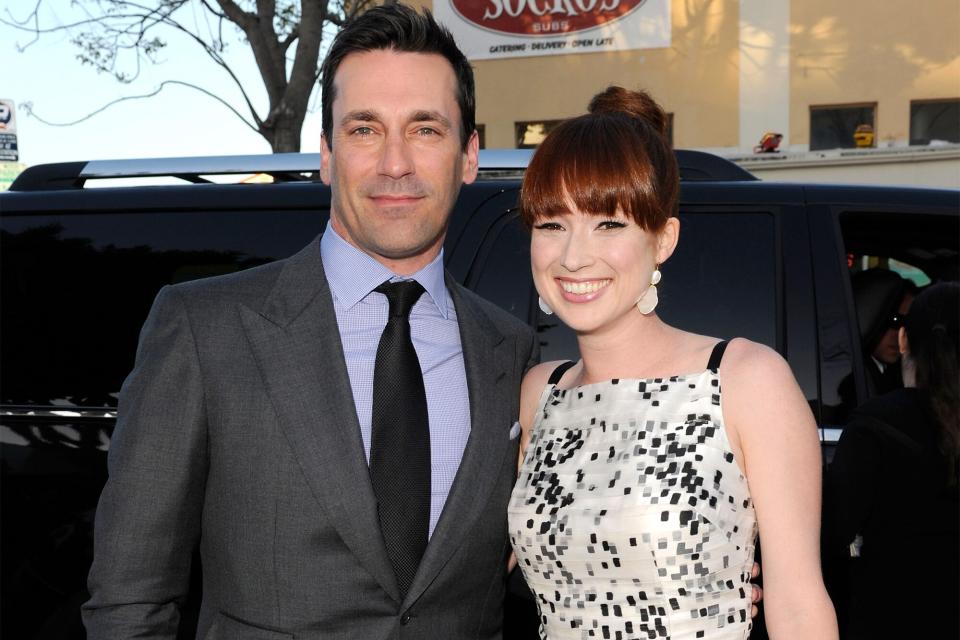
[248, 427]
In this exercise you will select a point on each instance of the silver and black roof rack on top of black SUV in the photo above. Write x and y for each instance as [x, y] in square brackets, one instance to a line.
[298, 167]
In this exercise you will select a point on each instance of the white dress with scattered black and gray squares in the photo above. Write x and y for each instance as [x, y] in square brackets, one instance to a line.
[630, 517]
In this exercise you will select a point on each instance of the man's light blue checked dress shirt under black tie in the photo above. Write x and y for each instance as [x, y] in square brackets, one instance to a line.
[361, 317]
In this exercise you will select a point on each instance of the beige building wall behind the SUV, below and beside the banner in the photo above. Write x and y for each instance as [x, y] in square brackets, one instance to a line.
[817, 72]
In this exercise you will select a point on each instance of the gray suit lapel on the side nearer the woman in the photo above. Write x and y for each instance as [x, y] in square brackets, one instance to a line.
[487, 359]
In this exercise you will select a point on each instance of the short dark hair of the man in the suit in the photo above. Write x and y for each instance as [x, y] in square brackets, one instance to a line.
[399, 28]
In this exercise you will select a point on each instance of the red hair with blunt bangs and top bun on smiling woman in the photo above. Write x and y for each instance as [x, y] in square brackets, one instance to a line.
[615, 157]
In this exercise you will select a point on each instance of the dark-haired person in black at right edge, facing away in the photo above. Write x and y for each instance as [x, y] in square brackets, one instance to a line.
[891, 500]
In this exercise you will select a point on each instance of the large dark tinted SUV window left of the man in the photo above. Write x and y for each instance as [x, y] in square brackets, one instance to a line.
[76, 288]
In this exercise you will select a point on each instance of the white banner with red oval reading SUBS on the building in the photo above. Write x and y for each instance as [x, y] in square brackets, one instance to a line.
[490, 29]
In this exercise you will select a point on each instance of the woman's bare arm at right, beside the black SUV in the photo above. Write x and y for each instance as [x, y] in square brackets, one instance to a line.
[772, 429]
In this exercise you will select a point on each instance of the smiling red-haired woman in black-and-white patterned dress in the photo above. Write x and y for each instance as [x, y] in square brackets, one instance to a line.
[643, 481]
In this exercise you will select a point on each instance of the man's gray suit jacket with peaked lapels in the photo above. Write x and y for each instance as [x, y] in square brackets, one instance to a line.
[237, 432]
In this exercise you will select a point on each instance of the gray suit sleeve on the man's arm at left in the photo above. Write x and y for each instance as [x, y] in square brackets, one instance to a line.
[148, 519]
